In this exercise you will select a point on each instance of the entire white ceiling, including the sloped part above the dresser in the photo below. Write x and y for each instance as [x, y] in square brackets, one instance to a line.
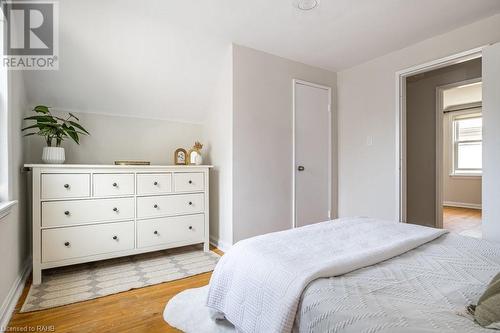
[159, 58]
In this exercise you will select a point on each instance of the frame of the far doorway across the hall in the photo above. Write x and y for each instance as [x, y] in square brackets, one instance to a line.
[440, 174]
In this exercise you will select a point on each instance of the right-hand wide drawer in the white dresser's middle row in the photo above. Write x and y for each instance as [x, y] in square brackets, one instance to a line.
[148, 207]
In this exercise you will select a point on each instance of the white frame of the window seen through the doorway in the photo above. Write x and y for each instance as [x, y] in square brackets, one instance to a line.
[455, 117]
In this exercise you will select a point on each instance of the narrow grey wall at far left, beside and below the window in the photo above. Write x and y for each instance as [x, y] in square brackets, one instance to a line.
[14, 239]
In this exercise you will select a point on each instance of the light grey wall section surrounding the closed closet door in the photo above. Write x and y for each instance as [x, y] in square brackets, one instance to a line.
[262, 139]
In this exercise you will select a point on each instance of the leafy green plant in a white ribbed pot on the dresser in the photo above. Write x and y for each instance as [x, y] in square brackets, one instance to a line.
[54, 128]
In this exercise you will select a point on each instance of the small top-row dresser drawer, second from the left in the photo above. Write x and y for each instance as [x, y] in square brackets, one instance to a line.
[113, 184]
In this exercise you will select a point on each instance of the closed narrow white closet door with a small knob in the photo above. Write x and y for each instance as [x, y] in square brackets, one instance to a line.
[312, 123]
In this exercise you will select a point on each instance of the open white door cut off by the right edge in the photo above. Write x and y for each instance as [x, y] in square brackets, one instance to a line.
[491, 143]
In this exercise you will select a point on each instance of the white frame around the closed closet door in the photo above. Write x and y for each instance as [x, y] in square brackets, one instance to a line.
[330, 146]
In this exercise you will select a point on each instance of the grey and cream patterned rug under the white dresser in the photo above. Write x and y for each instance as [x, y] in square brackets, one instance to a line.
[72, 284]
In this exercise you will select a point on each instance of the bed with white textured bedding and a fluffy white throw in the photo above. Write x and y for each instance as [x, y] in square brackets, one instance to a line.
[419, 287]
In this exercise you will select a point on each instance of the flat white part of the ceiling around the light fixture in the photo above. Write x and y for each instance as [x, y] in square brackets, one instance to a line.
[336, 35]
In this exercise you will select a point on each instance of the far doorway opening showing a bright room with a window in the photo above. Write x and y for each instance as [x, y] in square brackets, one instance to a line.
[459, 111]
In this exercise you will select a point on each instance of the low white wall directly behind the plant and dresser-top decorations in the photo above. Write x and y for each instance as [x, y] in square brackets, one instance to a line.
[122, 138]
